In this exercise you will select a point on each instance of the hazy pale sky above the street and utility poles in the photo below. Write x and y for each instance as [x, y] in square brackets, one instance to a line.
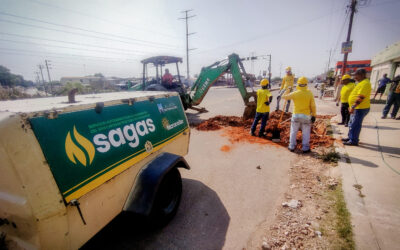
[111, 37]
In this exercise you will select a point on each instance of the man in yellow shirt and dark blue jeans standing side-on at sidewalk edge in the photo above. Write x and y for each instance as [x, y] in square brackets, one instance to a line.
[359, 102]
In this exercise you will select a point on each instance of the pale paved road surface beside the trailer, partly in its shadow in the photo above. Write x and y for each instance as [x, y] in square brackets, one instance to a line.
[225, 197]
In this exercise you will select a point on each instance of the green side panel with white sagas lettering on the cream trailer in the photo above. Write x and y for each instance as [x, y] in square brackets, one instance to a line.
[84, 145]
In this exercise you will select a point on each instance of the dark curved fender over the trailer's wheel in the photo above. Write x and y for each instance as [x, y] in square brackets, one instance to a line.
[142, 195]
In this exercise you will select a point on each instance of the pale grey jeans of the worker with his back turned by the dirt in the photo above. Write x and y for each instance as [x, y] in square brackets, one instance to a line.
[303, 122]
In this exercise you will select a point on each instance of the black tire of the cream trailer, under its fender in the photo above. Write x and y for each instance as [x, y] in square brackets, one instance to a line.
[167, 199]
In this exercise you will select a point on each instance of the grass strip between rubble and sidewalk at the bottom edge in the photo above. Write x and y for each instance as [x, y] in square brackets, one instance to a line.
[337, 223]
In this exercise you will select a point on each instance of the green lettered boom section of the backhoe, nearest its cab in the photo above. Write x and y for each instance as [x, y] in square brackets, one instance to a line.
[206, 78]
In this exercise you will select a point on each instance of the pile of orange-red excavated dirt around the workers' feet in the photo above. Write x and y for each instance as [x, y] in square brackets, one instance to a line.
[238, 130]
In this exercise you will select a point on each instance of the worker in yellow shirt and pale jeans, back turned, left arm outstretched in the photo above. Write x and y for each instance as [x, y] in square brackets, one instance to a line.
[303, 114]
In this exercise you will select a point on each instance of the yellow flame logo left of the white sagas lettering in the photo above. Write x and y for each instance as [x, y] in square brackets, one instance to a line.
[74, 152]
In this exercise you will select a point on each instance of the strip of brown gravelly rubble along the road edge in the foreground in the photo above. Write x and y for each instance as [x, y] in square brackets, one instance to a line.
[301, 216]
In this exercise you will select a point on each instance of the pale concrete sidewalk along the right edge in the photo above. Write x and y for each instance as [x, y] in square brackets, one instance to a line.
[375, 165]
